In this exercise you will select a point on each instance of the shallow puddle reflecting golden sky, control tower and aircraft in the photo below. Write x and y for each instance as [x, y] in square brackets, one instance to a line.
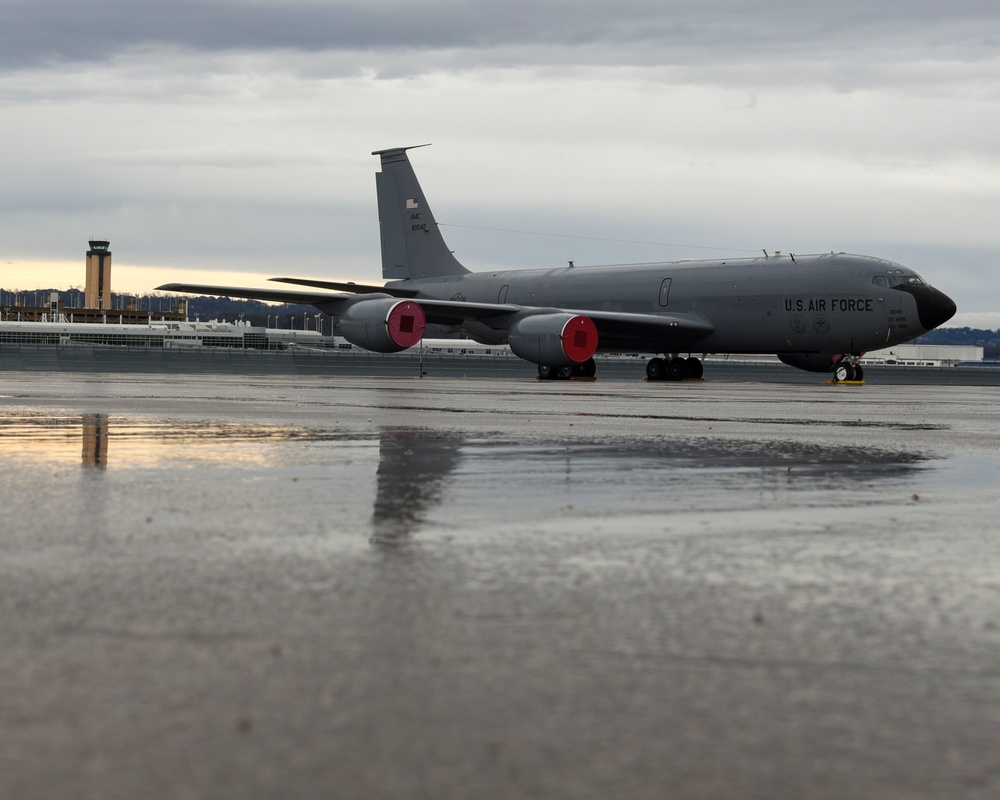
[423, 479]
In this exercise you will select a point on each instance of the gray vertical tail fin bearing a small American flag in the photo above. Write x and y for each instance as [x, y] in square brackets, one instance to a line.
[412, 244]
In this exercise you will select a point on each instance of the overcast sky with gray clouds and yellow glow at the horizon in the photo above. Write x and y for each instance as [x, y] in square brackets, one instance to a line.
[230, 140]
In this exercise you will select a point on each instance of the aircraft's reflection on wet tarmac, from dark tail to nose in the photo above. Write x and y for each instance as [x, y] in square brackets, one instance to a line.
[505, 479]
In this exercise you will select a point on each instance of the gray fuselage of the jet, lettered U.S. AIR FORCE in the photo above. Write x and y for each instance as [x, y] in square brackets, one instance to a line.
[781, 303]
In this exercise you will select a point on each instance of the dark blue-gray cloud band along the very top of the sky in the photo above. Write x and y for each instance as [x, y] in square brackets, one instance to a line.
[34, 32]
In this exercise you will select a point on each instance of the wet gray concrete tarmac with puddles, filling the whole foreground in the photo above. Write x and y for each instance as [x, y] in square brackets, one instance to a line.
[300, 587]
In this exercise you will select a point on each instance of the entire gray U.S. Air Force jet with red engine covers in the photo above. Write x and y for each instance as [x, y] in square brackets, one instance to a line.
[816, 312]
